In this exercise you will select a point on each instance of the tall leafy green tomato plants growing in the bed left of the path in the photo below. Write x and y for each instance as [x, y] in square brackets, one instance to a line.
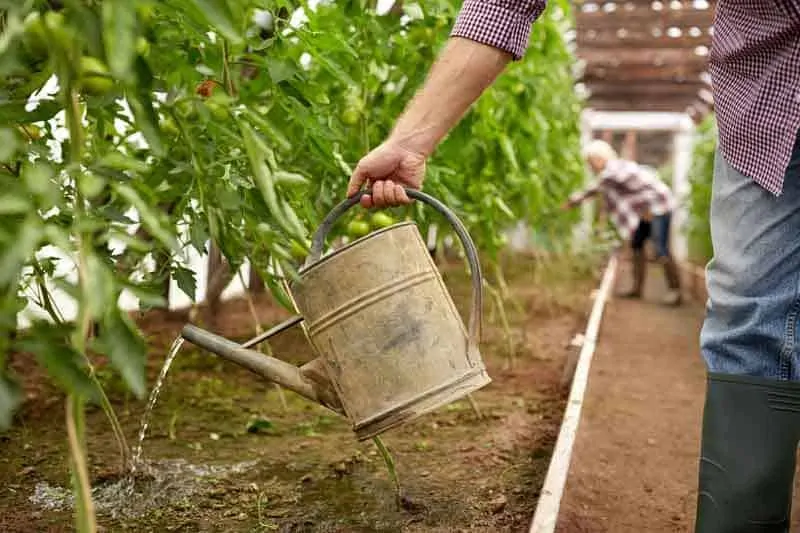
[189, 122]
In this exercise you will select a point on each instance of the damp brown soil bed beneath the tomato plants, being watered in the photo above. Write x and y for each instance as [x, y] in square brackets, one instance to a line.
[302, 470]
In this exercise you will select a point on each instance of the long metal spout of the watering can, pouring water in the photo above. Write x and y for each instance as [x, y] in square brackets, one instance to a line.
[309, 380]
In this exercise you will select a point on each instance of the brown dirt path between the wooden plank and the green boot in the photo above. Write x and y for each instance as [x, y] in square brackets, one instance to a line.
[634, 466]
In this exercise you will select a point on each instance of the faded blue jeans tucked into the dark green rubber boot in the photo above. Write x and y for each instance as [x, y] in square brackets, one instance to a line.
[753, 280]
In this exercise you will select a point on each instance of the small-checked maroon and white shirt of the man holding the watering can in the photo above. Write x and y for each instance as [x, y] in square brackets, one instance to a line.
[754, 66]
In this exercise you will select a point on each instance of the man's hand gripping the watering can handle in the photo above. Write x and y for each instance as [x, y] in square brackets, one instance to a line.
[387, 170]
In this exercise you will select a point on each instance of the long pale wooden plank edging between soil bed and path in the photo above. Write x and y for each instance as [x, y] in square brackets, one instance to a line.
[547, 508]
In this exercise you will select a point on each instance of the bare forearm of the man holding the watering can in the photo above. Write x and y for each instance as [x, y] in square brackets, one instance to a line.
[462, 72]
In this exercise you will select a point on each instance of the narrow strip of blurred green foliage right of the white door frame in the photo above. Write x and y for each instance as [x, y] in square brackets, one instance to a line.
[701, 176]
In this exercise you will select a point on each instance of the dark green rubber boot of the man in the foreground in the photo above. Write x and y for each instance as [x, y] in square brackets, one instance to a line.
[751, 427]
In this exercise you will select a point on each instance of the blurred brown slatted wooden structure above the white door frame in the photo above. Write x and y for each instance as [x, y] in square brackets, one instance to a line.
[643, 55]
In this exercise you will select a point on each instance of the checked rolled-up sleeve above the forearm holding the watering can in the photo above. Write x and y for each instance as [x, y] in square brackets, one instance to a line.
[503, 24]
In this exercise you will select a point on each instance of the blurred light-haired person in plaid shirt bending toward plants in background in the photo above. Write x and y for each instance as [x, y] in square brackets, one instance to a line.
[640, 205]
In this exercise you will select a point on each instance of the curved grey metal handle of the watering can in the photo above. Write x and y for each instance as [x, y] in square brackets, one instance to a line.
[474, 328]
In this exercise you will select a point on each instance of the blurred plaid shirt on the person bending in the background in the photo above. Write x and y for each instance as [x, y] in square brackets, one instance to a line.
[630, 191]
